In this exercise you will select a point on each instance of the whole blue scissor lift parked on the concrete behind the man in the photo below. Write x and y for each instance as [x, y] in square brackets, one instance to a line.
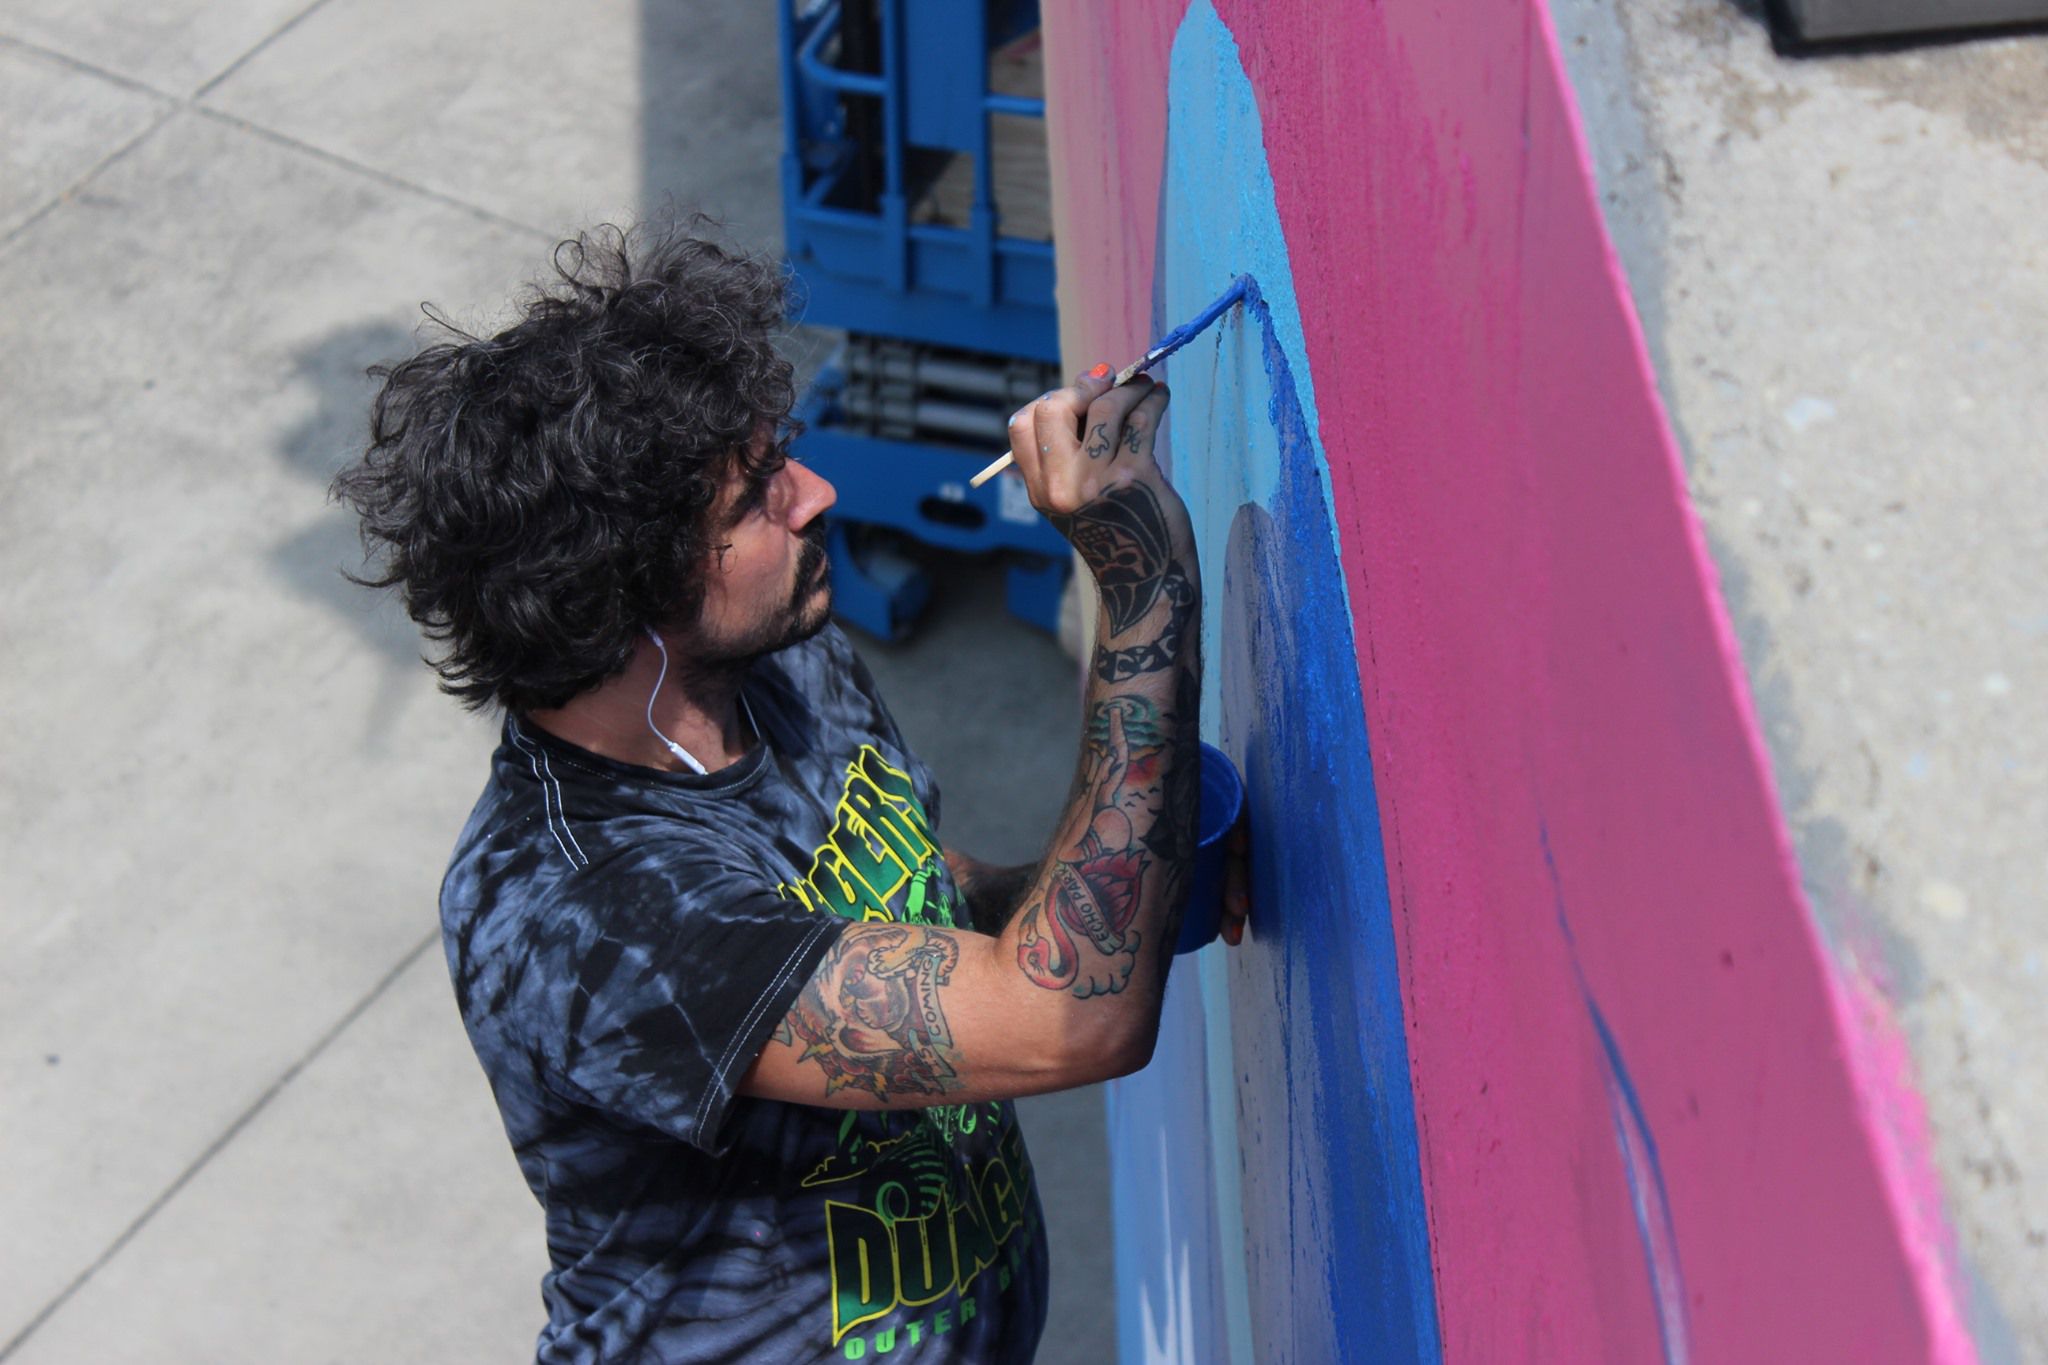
[914, 214]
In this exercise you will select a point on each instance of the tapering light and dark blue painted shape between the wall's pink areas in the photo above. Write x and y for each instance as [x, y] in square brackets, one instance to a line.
[1304, 1102]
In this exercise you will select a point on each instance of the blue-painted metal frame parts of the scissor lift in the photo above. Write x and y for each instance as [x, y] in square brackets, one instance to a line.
[865, 267]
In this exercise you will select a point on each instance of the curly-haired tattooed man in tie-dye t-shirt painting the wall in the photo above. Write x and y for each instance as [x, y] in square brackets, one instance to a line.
[753, 1030]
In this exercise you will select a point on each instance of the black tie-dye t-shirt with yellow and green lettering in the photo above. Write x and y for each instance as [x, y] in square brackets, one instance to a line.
[624, 942]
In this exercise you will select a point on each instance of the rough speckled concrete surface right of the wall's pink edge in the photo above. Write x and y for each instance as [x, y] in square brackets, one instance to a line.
[1842, 275]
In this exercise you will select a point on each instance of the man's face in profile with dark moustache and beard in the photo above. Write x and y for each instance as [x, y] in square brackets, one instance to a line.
[769, 582]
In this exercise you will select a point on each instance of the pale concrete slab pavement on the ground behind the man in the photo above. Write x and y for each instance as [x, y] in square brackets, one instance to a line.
[241, 1116]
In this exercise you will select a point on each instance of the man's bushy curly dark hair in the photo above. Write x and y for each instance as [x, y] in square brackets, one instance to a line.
[544, 496]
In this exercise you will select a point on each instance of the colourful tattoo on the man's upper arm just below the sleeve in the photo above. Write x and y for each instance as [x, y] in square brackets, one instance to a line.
[871, 1016]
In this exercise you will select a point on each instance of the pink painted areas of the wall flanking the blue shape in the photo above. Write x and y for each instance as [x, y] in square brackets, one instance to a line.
[1607, 965]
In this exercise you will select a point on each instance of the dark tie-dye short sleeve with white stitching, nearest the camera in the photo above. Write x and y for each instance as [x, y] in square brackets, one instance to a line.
[673, 977]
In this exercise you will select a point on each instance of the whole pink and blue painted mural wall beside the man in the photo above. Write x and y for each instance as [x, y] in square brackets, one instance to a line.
[1533, 1051]
